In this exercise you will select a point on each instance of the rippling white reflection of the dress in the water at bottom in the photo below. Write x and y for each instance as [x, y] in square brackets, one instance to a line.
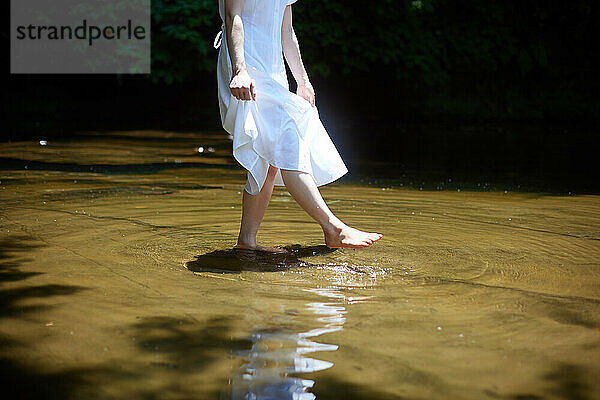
[277, 354]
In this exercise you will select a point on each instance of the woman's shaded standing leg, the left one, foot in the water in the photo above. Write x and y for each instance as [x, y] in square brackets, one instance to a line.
[253, 211]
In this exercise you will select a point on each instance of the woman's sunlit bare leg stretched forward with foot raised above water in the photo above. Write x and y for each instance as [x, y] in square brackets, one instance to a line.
[303, 189]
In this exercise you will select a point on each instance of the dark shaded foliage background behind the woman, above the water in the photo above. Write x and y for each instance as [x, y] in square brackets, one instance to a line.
[497, 90]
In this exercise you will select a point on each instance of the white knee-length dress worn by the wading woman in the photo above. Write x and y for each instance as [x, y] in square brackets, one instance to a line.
[279, 128]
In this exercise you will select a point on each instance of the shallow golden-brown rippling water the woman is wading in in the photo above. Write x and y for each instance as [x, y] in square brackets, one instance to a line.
[118, 281]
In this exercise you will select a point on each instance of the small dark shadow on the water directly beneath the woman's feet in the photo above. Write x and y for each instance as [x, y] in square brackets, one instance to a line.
[237, 260]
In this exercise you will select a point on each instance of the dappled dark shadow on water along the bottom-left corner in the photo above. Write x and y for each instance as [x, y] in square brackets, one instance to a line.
[181, 350]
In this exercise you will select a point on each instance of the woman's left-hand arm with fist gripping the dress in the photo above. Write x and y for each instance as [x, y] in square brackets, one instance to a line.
[241, 85]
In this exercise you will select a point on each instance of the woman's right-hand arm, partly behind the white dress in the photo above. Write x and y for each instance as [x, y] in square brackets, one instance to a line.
[291, 51]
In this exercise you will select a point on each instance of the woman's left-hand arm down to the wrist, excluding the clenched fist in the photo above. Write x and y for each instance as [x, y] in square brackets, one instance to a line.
[234, 32]
